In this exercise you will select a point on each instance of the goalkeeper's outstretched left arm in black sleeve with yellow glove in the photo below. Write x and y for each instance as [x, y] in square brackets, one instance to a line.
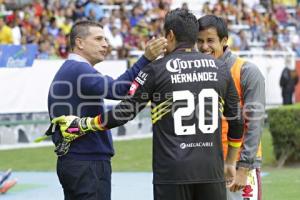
[139, 95]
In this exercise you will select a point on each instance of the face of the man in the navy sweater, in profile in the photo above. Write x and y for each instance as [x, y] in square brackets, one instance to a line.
[94, 46]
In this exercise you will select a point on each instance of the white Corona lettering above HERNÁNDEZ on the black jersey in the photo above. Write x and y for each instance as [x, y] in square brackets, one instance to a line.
[177, 65]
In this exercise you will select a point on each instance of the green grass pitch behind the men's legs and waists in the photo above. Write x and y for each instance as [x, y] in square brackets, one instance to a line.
[135, 156]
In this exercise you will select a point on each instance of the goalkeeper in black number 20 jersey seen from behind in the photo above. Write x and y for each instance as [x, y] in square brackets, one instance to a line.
[188, 91]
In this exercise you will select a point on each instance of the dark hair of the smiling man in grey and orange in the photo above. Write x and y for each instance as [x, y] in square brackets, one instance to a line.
[212, 21]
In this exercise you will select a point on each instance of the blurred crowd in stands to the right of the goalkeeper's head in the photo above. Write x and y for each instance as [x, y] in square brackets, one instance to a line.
[267, 26]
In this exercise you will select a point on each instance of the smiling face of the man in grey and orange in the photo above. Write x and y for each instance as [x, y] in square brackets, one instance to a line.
[209, 42]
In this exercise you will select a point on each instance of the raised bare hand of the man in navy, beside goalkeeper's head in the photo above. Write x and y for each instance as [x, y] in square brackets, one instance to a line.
[155, 47]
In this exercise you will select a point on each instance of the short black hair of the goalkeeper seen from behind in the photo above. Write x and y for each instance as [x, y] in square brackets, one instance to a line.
[183, 24]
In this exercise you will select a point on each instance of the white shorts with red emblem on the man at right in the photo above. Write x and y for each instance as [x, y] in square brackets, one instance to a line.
[252, 191]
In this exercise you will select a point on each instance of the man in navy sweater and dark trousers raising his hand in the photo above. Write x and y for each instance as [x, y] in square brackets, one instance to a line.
[84, 171]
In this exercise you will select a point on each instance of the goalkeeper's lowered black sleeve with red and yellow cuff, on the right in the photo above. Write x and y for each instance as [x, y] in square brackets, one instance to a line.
[232, 112]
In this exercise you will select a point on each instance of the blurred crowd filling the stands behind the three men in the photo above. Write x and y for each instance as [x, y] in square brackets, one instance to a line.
[128, 24]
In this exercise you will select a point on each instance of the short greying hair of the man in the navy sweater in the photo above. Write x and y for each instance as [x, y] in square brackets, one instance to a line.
[81, 29]
